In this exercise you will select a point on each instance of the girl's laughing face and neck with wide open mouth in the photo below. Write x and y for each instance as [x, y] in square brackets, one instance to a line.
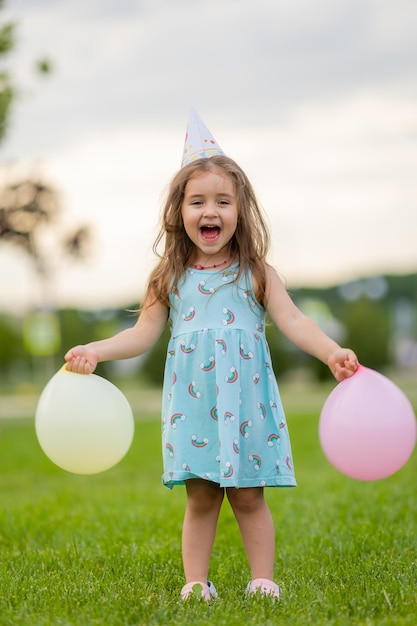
[210, 212]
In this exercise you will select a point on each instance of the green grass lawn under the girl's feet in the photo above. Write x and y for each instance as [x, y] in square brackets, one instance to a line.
[105, 549]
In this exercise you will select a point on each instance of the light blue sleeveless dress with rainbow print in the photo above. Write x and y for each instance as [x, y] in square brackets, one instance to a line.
[222, 416]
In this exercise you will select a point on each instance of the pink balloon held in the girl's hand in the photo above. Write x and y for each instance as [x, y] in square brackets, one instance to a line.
[367, 426]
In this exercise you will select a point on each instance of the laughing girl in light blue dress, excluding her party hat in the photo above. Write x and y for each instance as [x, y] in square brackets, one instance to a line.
[224, 429]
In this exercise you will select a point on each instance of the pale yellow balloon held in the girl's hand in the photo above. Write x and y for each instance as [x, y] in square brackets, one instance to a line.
[83, 423]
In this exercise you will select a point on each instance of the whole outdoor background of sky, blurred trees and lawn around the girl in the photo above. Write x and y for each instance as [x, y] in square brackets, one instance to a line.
[317, 101]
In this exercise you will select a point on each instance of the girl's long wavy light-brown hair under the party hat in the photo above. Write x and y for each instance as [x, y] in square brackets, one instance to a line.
[250, 242]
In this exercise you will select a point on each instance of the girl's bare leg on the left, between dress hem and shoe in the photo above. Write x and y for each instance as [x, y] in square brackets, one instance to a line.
[204, 500]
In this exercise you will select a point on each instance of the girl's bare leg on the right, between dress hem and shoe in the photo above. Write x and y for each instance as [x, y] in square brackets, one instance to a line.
[256, 527]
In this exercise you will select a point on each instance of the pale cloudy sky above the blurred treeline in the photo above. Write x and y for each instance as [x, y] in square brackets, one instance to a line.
[315, 99]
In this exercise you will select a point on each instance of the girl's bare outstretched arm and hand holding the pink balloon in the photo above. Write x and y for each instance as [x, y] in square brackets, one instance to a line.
[303, 332]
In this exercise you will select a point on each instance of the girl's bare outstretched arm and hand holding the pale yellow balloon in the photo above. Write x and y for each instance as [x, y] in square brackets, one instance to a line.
[125, 345]
